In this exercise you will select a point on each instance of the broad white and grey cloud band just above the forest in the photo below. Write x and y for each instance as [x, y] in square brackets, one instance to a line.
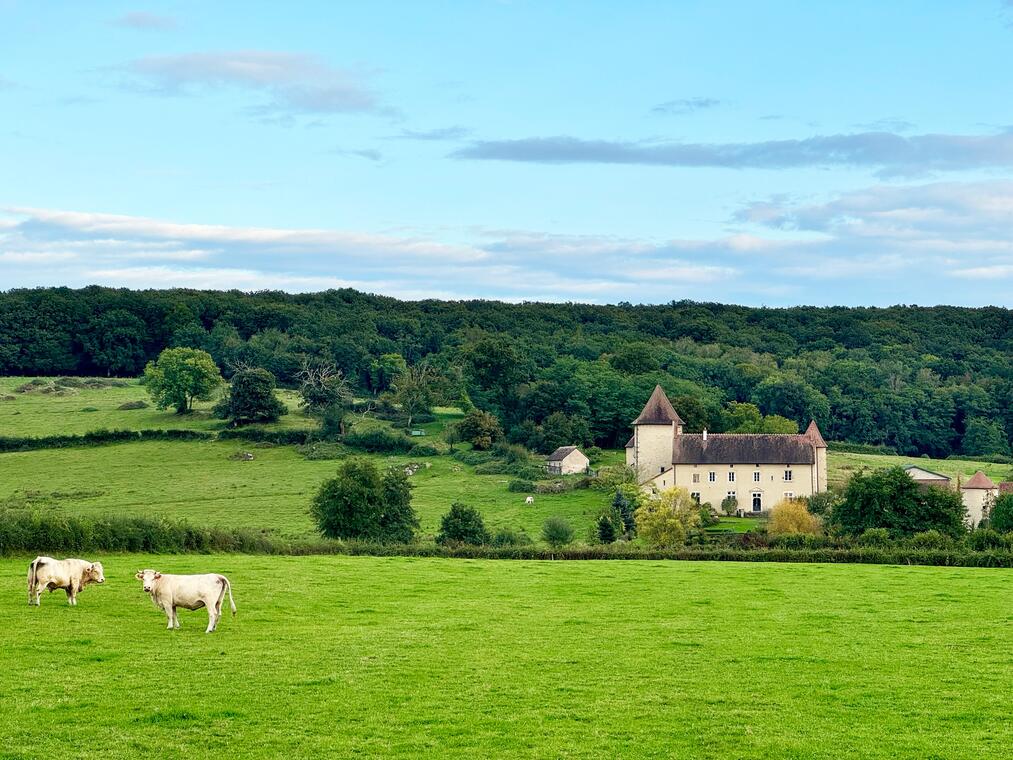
[938, 243]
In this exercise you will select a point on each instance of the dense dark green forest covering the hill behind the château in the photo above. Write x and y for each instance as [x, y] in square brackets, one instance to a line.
[933, 381]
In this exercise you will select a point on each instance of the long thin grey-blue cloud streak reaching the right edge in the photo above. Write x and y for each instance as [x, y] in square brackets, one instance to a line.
[890, 155]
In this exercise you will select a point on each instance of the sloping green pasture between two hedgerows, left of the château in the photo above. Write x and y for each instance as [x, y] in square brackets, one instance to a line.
[201, 482]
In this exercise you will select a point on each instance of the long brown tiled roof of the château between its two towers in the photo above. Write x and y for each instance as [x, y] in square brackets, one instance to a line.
[743, 448]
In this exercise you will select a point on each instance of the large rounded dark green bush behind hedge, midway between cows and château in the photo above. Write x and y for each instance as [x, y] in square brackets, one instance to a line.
[362, 504]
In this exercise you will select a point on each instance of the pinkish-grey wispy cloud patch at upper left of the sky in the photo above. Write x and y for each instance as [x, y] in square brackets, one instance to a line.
[293, 83]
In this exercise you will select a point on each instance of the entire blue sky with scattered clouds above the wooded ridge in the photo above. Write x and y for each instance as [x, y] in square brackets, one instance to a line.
[775, 154]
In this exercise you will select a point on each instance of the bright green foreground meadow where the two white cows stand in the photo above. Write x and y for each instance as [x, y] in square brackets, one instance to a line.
[336, 657]
